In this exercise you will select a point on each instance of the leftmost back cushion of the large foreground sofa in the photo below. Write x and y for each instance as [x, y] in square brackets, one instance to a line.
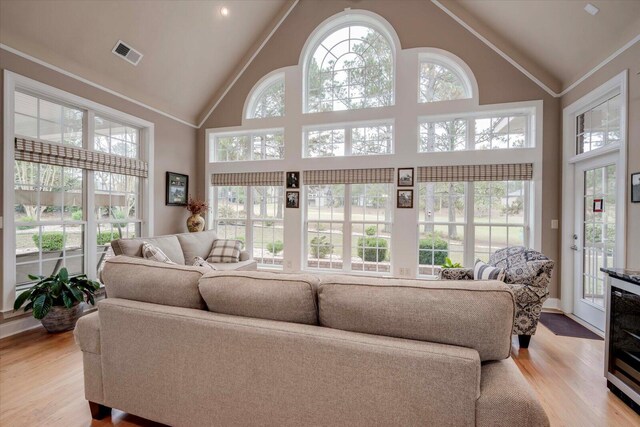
[151, 281]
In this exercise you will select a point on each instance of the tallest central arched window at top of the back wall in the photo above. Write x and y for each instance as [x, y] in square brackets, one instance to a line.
[351, 67]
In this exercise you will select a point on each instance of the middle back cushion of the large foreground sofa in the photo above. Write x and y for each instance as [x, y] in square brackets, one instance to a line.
[262, 295]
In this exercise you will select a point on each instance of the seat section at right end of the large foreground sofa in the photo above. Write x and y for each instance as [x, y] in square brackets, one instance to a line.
[506, 399]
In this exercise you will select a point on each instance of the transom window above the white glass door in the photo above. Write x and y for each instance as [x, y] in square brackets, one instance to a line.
[598, 126]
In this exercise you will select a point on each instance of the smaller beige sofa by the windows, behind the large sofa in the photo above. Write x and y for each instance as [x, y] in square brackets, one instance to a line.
[182, 249]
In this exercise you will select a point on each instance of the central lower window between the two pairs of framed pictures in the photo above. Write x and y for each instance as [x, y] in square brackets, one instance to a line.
[349, 227]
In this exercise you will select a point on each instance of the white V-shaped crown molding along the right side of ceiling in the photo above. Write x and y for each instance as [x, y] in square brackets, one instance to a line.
[524, 70]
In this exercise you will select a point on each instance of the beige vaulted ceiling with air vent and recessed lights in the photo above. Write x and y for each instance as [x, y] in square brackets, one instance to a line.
[191, 52]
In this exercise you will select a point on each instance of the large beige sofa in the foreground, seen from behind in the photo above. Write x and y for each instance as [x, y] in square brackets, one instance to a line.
[187, 347]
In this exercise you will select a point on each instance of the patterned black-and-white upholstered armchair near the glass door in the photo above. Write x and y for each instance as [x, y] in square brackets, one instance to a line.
[528, 274]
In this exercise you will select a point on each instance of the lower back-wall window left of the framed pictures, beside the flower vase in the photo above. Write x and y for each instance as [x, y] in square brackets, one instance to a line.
[255, 216]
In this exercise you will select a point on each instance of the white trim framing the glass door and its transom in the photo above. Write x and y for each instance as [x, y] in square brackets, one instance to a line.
[618, 83]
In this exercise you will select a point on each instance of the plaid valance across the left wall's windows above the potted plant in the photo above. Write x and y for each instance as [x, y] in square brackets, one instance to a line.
[61, 155]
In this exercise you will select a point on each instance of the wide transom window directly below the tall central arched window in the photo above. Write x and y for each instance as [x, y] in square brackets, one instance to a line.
[350, 140]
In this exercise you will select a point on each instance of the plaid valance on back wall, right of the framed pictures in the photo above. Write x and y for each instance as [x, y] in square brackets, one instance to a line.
[502, 172]
